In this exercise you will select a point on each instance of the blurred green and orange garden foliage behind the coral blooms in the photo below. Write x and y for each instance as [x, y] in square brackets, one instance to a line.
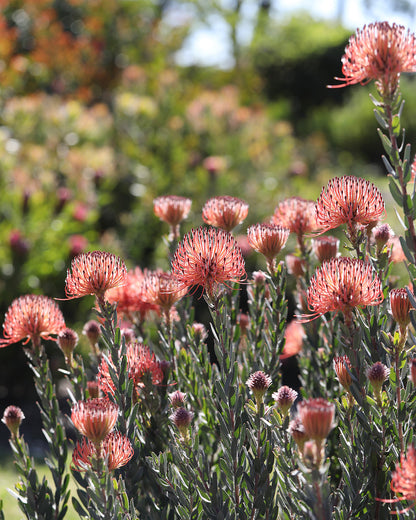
[98, 118]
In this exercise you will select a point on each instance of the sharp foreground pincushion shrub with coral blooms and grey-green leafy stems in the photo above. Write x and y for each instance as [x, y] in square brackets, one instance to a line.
[199, 421]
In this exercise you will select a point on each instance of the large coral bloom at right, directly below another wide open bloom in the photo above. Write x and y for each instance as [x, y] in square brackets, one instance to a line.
[341, 284]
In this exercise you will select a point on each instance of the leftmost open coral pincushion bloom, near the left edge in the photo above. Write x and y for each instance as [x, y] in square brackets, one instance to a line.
[30, 318]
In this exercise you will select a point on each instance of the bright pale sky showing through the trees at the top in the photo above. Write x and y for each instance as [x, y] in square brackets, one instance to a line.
[210, 45]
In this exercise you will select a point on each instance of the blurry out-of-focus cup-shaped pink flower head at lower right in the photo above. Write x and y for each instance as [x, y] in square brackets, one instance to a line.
[317, 416]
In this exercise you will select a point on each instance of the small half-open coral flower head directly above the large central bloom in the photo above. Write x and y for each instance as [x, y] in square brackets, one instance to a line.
[224, 212]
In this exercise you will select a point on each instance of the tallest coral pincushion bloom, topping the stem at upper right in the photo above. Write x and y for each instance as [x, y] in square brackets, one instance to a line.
[381, 52]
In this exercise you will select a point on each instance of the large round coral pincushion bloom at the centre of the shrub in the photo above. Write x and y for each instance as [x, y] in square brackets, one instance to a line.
[208, 257]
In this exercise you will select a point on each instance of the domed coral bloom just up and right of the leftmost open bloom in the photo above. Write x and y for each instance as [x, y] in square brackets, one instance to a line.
[94, 273]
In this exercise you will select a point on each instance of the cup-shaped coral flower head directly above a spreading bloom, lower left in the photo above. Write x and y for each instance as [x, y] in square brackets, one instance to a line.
[95, 418]
